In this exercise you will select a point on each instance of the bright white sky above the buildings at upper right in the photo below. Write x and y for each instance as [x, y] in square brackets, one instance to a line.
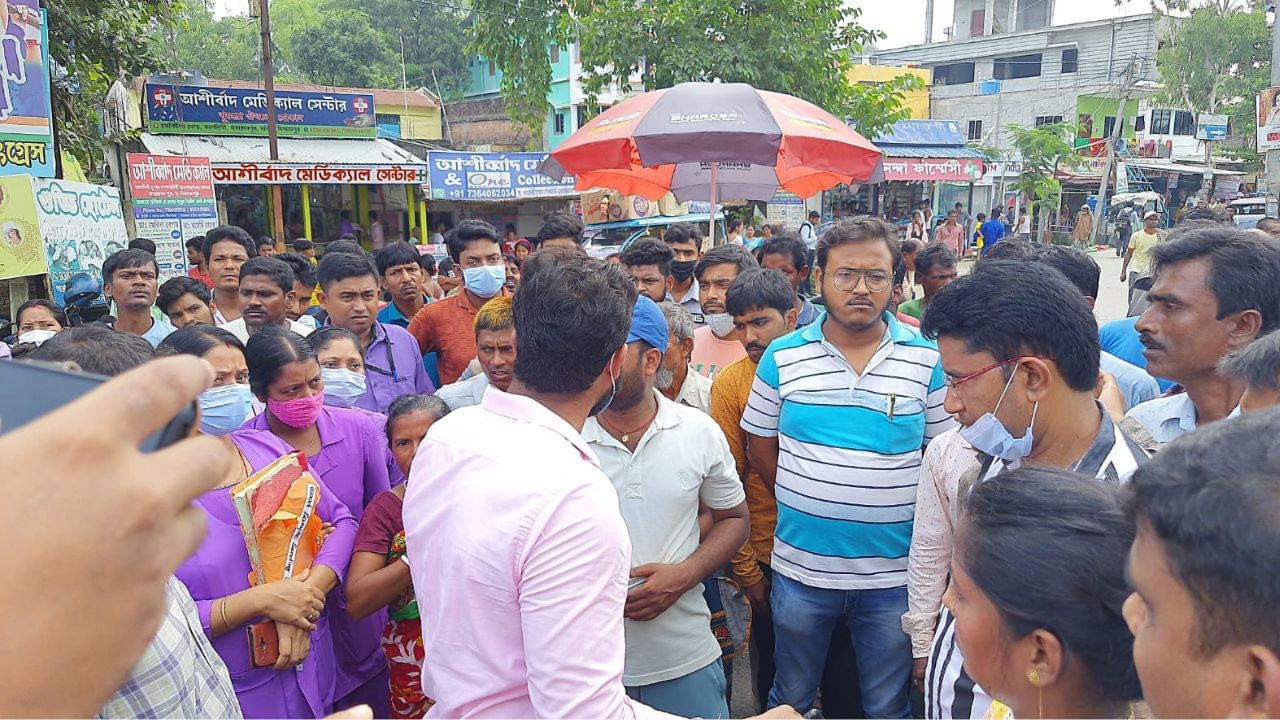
[904, 20]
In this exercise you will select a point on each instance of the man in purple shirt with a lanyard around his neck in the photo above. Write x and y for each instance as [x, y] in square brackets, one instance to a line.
[394, 367]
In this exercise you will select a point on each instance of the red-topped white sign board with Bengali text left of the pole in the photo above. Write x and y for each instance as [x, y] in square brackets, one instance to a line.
[173, 199]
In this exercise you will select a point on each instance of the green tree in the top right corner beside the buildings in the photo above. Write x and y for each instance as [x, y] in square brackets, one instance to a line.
[1217, 61]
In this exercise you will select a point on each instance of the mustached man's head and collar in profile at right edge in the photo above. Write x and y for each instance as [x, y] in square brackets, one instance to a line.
[1215, 293]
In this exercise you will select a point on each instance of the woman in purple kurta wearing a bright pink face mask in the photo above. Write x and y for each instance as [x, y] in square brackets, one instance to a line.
[345, 448]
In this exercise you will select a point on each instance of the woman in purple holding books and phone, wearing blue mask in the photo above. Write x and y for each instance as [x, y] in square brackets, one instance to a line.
[217, 576]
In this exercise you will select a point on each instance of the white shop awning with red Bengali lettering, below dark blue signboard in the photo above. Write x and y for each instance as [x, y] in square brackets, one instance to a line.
[301, 161]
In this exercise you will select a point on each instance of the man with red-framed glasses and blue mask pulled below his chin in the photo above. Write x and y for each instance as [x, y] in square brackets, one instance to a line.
[1022, 358]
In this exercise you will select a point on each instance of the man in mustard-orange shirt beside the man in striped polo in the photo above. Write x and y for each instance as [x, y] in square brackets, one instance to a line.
[764, 308]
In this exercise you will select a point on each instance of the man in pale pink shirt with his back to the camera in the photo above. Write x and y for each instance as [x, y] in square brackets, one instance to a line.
[519, 553]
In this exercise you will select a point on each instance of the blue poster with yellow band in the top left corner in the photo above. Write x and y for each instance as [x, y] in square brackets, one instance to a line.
[26, 130]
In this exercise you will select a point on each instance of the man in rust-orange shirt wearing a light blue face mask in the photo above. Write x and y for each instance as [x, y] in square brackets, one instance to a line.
[447, 327]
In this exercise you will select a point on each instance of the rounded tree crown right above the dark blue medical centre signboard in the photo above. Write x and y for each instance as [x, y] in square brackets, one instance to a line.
[341, 47]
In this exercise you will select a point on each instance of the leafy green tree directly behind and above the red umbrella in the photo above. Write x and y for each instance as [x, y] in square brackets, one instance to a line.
[797, 47]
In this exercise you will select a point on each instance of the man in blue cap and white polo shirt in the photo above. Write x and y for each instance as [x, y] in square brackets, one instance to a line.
[664, 459]
